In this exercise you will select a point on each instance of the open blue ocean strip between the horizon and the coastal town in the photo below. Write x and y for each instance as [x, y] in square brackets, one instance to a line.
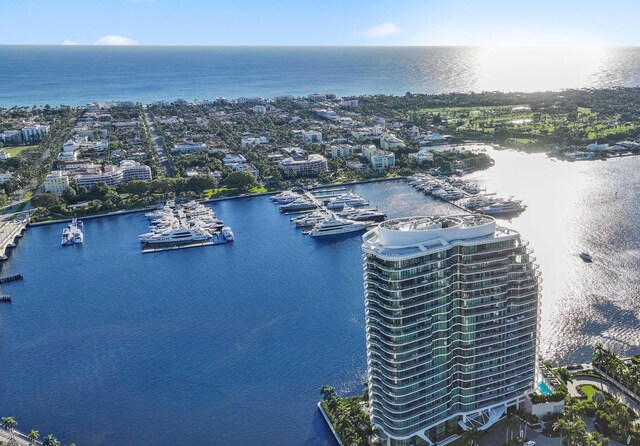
[75, 75]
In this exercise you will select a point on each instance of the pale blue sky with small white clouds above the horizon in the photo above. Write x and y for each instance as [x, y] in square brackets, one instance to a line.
[321, 22]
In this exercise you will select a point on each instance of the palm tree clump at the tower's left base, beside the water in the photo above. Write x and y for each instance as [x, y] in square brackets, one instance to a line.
[349, 417]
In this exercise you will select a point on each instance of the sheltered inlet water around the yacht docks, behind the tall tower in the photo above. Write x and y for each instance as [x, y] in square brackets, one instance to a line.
[229, 344]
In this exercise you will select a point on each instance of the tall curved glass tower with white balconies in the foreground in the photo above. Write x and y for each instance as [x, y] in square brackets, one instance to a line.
[452, 312]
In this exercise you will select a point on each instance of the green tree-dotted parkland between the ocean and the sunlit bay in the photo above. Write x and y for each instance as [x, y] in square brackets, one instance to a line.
[531, 121]
